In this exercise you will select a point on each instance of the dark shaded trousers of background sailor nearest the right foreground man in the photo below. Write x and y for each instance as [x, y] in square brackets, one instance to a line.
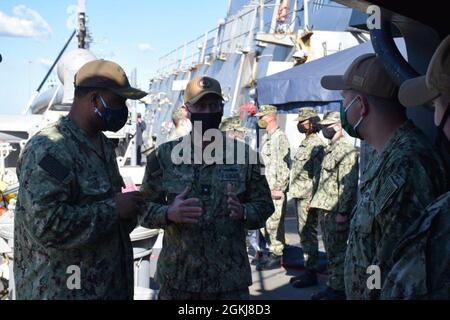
[335, 238]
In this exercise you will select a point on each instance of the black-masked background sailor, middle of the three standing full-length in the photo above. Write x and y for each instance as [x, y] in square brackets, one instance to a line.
[306, 169]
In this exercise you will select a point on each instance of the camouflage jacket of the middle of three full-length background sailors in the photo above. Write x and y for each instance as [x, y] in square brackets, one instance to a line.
[306, 167]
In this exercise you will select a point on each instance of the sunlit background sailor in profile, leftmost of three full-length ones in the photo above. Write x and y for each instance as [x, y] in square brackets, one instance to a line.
[275, 153]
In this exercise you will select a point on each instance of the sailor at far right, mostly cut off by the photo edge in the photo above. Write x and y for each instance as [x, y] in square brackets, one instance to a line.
[422, 259]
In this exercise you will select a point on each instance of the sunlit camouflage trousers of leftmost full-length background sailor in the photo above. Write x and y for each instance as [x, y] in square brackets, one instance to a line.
[274, 230]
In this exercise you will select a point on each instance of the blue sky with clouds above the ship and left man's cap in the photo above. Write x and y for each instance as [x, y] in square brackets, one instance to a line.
[134, 33]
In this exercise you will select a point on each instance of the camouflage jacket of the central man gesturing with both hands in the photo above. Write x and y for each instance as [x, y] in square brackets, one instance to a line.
[210, 256]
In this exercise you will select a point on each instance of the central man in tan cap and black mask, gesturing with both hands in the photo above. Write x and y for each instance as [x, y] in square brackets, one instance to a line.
[204, 208]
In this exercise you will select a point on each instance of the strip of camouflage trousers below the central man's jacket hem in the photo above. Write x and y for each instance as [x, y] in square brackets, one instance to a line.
[166, 293]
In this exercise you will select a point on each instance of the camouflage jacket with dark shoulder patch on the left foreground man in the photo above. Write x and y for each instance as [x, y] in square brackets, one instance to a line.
[66, 216]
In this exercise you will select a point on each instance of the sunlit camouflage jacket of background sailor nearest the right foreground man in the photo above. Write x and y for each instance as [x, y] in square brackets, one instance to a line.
[338, 184]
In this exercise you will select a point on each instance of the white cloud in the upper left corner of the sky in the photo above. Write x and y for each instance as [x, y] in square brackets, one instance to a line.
[24, 22]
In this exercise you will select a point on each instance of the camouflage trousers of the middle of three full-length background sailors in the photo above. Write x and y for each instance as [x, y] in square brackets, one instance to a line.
[307, 230]
